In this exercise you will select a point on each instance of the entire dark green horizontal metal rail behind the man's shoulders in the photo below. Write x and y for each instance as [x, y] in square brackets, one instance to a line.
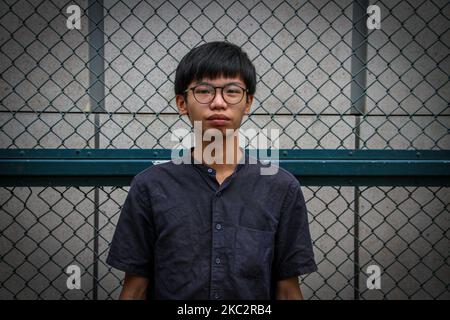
[117, 167]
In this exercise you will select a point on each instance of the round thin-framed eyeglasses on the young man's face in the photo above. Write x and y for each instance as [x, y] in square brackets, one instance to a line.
[205, 93]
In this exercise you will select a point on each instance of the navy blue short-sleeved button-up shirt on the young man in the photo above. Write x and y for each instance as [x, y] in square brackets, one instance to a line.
[196, 239]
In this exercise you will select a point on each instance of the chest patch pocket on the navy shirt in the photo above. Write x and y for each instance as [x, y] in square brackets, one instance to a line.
[253, 253]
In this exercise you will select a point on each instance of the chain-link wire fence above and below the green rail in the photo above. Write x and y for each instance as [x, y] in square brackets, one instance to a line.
[324, 80]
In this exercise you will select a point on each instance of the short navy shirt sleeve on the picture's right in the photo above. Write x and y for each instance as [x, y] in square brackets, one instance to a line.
[294, 255]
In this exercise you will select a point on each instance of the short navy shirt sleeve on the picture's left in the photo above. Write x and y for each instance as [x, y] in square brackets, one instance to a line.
[132, 245]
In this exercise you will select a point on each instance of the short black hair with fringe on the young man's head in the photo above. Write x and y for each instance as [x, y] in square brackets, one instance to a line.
[212, 60]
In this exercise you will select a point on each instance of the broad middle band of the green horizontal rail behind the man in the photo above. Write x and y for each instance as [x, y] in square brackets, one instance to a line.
[318, 167]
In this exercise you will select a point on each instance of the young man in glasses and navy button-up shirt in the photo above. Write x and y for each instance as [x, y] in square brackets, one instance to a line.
[215, 228]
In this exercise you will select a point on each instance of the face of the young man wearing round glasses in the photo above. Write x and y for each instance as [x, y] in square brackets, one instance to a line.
[217, 113]
